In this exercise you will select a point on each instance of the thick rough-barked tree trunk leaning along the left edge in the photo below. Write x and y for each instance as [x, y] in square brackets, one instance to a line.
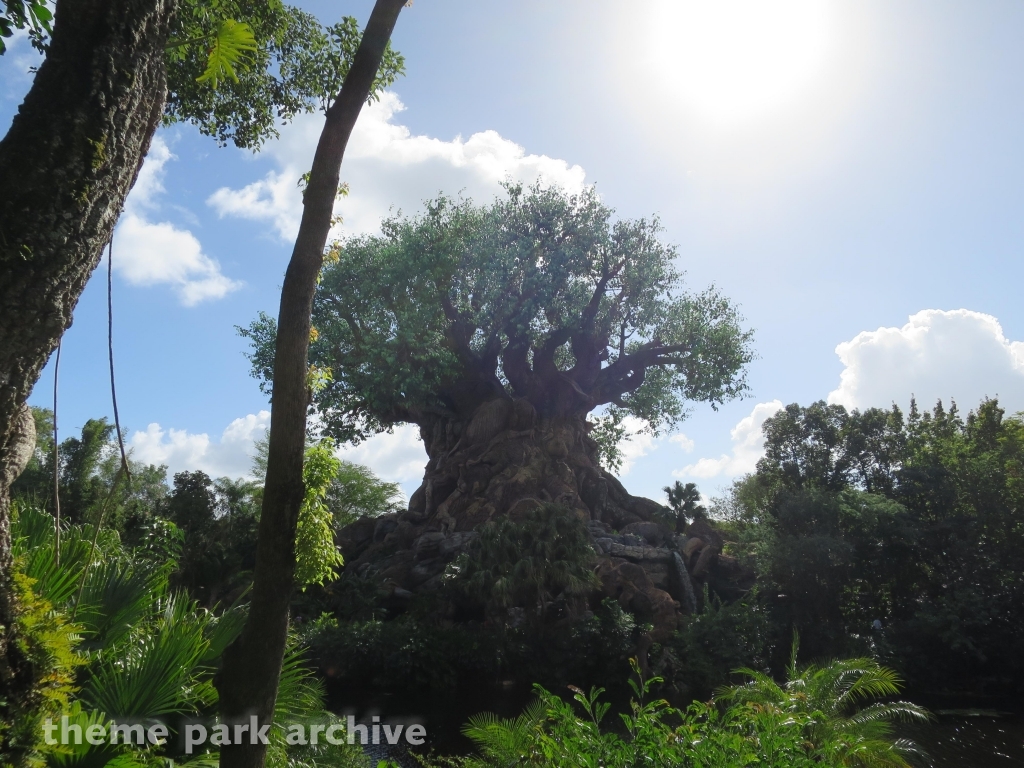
[67, 164]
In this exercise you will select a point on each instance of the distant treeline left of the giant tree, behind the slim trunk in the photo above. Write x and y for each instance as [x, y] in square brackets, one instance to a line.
[218, 519]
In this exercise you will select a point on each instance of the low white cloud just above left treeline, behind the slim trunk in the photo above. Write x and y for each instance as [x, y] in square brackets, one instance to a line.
[398, 457]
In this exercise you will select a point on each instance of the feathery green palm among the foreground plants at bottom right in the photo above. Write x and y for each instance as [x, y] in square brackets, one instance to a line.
[845, 726]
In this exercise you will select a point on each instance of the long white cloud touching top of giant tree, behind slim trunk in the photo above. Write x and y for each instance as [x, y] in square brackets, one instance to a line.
[388, 167]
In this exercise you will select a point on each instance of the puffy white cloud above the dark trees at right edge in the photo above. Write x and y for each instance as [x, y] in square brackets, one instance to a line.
[957, 355]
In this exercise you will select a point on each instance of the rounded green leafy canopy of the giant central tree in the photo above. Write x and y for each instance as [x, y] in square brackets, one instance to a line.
[542, 295]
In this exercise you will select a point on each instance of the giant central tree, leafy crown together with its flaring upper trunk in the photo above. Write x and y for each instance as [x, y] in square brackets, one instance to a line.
[498, 330]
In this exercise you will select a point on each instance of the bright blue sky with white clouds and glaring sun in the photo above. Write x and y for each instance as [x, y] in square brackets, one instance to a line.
[851, 174]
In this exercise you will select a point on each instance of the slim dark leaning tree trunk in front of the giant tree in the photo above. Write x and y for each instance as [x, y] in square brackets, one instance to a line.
[248, 680]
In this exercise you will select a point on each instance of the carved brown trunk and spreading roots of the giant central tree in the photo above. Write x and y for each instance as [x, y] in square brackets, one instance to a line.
[504, 458]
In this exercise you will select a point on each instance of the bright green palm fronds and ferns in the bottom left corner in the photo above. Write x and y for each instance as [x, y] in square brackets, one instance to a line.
[115, 642]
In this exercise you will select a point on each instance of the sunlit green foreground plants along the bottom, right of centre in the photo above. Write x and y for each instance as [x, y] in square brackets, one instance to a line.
[817, 718]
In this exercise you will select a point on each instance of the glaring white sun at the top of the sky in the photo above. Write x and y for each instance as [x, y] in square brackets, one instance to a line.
[732, 61]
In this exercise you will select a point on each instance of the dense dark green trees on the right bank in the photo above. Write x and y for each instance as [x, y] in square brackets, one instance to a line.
[898, 536]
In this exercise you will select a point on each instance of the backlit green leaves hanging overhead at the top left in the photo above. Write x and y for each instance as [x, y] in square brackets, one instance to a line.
[237, 68]
